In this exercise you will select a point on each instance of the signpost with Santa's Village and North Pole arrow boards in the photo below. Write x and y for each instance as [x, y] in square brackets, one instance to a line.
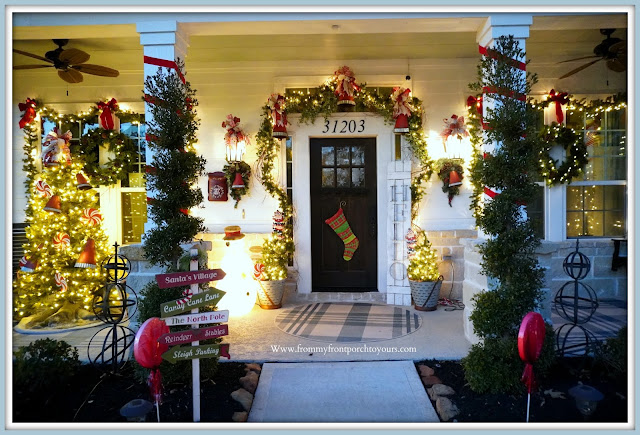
[169, 310]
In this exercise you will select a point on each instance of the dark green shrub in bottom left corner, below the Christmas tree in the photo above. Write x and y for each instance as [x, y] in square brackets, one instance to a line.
[44, 365]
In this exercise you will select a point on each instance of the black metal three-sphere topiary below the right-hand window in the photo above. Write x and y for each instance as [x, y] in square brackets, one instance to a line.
[577, 306]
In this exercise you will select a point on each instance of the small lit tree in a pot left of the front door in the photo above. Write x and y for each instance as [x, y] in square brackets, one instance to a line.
[271, 272]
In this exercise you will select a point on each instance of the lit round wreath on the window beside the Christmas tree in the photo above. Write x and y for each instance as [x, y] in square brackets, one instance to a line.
[122, 162]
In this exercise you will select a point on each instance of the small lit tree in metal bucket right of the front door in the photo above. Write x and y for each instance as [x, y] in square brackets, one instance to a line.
[424, 278]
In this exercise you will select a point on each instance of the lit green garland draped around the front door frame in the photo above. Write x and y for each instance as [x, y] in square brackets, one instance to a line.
[323, 101]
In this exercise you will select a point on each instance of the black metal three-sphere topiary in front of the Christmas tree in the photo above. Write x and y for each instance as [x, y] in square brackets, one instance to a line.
[112, 306]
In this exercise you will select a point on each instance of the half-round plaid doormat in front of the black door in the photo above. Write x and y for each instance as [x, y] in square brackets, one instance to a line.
[348, 323]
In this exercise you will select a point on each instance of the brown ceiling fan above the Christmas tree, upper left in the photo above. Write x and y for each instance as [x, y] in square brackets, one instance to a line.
[69, 62]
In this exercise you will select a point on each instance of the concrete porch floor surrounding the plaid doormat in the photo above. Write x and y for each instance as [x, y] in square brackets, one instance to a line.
[255, 337]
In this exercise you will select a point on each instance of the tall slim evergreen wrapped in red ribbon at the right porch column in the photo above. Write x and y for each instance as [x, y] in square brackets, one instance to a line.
[509, 259]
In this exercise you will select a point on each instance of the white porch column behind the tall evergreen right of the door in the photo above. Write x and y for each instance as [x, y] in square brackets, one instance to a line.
[494, 27]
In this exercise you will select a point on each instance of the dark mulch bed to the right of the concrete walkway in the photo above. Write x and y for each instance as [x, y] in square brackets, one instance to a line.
[564, 375]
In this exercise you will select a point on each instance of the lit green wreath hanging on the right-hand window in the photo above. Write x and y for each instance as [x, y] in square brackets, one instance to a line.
[576, 159]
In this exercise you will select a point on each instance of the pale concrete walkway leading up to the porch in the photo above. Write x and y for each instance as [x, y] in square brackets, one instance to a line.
[384, 391]
